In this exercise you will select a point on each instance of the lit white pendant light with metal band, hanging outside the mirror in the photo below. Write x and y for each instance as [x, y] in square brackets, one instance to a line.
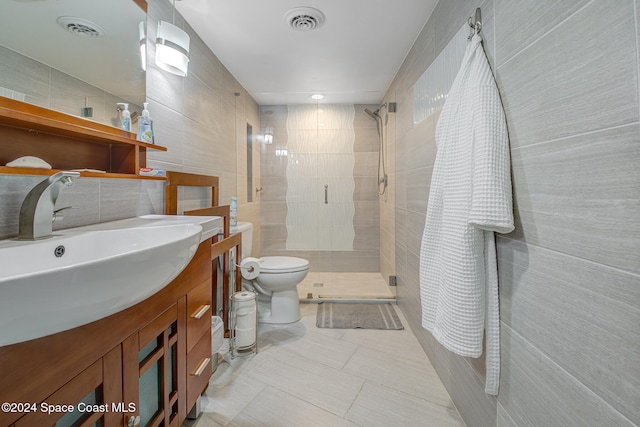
[172, 47]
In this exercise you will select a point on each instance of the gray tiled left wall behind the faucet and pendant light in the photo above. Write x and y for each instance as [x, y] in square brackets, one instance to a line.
[201, 119]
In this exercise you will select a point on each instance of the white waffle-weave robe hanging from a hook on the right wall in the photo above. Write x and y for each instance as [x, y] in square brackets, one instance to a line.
[470, 199]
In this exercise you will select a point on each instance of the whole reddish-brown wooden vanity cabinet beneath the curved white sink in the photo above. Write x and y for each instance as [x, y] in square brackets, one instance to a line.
[137, 358]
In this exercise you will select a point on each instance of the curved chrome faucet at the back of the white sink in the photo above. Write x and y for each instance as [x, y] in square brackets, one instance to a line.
[37, 214]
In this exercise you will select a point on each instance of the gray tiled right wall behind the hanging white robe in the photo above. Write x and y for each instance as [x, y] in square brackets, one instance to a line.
[569, 274]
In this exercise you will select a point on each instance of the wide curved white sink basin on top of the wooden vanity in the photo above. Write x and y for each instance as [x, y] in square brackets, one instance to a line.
[105, 268]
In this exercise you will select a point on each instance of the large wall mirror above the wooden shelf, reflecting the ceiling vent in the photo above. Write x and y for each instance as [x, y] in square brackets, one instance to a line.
[77, 72]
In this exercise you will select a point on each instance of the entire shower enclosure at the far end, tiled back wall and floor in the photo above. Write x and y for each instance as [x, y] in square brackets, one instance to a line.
[320, 197]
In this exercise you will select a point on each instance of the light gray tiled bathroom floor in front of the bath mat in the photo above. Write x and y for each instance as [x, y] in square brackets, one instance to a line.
[306, 376]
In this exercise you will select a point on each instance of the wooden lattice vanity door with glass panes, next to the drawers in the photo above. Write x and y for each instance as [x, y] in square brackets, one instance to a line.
[152, 359]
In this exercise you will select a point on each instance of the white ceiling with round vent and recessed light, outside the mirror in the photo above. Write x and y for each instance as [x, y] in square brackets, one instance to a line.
[351, 58]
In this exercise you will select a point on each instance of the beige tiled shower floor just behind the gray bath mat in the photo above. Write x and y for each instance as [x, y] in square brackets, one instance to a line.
[344, 285]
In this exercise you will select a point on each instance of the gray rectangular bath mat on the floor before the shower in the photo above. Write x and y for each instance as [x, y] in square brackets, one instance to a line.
[357, 316]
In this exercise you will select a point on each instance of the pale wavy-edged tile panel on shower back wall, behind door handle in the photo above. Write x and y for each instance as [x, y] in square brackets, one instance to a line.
[320, 207]
